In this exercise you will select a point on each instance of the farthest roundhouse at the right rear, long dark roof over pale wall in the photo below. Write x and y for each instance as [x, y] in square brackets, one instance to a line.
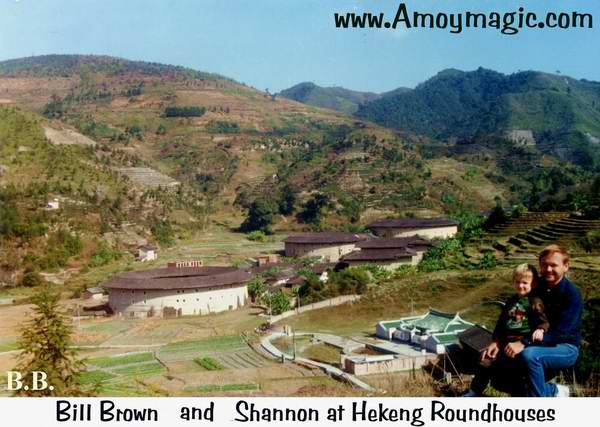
[407, 227]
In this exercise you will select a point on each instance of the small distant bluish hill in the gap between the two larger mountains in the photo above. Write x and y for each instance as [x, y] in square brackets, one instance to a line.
[335, 98]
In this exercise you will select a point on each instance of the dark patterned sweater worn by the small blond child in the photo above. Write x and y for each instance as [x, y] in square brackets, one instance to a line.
[508, 330]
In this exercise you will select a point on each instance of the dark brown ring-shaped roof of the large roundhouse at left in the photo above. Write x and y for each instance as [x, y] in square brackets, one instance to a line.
[178, 278]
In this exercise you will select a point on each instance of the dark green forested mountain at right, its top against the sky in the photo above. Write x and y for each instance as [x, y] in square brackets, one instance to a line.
[559, 114]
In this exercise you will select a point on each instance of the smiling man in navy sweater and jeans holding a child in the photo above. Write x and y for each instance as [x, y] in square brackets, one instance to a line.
[559, 347]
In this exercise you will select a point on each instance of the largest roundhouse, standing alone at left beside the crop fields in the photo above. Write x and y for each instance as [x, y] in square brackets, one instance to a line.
[170, 292]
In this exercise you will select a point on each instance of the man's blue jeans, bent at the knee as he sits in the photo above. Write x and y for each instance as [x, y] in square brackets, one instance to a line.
[538, 358]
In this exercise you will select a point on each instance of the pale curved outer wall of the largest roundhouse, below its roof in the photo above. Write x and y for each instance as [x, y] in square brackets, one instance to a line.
[183, 302]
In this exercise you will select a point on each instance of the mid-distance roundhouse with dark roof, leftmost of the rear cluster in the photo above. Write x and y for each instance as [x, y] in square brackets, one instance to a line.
[329, 246]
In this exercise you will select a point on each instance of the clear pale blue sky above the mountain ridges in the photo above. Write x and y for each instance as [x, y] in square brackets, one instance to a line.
[274, 44]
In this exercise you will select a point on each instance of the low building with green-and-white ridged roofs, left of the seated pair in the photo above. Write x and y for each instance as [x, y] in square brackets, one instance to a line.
[433, 331]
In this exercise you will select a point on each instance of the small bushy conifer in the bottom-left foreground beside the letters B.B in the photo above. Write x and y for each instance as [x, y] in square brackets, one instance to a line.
[45, 345]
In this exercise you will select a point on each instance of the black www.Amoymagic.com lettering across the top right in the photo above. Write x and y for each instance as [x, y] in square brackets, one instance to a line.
[508, 23]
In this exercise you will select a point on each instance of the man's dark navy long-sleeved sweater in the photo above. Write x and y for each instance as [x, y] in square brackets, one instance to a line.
[563, 306]
